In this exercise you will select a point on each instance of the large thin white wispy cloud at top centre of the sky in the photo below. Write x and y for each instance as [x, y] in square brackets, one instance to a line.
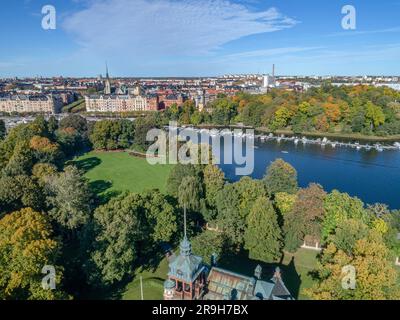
[162, 27]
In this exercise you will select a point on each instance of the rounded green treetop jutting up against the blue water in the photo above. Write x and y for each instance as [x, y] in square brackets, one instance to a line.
[281, 177]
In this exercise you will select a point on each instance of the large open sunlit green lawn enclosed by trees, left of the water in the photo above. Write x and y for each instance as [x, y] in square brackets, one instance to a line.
[119, 171]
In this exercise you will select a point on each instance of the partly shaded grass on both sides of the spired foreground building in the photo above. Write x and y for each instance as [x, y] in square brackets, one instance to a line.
[295, 272]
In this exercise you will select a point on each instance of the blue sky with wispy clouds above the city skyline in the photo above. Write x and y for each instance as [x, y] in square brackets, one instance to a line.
[199, 37]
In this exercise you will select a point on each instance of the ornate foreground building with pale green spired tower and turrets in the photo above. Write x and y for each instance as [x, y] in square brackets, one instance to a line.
[190, 279]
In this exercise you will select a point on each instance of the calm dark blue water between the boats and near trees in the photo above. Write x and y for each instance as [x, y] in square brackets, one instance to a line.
[370, 175]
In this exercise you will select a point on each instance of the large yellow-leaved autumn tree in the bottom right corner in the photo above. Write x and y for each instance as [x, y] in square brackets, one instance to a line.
[375, 276]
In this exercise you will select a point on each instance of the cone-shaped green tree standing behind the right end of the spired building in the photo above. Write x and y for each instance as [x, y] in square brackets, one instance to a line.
[263, 236]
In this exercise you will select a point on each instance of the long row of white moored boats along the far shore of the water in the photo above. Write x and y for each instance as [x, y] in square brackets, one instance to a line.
[323, 142]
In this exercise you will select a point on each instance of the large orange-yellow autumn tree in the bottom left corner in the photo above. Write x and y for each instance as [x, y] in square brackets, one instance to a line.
[26, 246]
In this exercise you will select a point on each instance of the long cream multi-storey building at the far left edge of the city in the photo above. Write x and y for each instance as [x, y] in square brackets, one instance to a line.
[50, 104]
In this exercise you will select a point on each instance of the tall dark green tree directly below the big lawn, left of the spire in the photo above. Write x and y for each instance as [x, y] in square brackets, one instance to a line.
[117, 230]
